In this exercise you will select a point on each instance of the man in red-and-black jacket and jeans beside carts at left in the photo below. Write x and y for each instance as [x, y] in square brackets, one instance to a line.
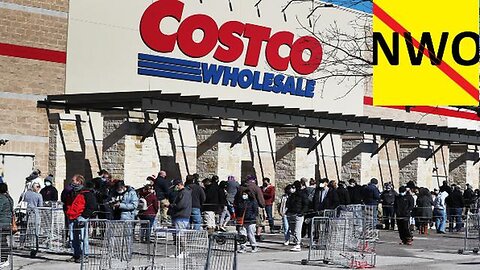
[81, 210]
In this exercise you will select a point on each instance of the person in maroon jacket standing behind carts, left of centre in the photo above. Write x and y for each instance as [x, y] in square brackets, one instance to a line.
[148, 210]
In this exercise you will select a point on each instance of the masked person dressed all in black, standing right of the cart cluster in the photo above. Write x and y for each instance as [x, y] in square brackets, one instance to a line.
[403, 210]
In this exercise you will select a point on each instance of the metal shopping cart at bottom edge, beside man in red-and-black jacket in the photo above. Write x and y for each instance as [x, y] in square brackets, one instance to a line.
[115, 245]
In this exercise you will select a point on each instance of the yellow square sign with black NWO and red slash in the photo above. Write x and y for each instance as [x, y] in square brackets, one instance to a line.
[447, 71]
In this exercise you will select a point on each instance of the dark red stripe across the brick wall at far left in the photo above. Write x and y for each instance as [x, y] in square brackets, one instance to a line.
[33, 53]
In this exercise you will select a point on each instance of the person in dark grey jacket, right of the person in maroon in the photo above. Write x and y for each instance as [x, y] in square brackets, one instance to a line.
[181, 208]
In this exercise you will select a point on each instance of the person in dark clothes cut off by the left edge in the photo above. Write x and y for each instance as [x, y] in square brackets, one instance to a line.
[6, 217]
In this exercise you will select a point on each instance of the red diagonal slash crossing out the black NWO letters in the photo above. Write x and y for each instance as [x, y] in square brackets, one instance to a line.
[444, 67]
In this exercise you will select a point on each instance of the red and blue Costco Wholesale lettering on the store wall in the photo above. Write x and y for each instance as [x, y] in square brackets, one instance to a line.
[228, 42]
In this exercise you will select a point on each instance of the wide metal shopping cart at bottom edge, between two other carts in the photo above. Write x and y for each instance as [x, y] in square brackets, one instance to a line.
[180, 249]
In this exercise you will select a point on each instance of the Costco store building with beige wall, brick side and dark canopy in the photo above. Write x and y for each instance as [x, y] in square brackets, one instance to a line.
[210, 87]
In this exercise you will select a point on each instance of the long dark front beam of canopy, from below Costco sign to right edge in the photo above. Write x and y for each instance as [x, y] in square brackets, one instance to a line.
[376, 126]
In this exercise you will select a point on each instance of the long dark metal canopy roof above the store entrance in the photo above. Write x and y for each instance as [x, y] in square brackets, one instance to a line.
[193, 107]
